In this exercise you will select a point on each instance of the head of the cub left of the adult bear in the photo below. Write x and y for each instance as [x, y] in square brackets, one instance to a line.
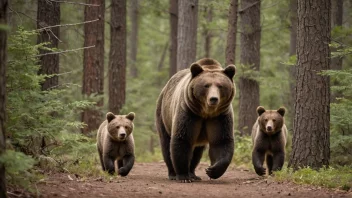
[120, 126]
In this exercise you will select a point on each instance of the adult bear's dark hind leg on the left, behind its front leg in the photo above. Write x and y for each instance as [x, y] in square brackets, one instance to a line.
[165, 149]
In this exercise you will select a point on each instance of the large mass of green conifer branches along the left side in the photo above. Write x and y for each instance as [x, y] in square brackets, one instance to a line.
[37, 119]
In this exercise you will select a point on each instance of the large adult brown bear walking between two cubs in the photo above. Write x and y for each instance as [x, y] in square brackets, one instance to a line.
[194, 109]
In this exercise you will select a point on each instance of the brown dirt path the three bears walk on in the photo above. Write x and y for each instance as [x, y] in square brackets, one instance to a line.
[150, 180]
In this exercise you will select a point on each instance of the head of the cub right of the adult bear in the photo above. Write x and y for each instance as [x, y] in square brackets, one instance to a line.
[271, 121]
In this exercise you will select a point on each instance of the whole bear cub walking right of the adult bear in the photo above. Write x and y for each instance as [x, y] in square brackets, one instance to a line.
[269, 137]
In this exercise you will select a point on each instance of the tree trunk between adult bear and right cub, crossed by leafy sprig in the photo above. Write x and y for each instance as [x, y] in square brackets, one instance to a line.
[250, 56]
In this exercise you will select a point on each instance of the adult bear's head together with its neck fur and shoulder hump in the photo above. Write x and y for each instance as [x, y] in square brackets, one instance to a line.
[212, 87]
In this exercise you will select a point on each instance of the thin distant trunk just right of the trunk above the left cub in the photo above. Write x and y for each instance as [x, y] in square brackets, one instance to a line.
[134, 37]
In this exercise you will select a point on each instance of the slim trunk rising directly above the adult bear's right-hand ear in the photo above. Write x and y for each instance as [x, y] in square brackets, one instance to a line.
[231, 33]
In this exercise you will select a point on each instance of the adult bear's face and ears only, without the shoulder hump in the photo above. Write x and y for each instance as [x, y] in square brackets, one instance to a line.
[212, 88]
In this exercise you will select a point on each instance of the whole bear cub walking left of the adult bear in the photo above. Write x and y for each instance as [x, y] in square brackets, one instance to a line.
[115, 143]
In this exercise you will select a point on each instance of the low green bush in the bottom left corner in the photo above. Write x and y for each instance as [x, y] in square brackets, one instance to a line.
[18, 168]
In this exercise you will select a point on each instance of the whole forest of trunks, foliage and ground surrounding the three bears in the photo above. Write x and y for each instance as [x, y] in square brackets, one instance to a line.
[65, 64]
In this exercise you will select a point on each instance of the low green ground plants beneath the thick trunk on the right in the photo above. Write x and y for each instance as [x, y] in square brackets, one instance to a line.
[340, 177]
